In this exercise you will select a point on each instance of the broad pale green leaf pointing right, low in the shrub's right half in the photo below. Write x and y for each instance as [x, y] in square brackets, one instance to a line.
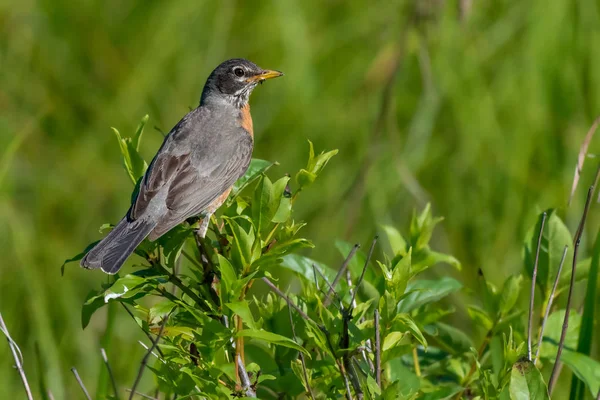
[427, 291]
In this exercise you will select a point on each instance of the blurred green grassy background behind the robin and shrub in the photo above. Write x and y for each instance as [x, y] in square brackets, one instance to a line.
[477, 107]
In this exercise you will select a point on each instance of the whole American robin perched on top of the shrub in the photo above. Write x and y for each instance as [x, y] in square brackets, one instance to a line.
[194, 169]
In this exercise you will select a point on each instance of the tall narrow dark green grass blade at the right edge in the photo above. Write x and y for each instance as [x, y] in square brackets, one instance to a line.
[586, 334]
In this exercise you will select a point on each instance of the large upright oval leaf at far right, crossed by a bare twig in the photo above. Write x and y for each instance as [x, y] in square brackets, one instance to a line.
[554, 238]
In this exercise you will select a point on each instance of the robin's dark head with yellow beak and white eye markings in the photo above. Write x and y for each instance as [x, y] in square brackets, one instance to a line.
[233, 81]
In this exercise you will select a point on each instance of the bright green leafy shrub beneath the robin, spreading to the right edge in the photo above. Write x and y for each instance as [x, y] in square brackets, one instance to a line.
[224, 327]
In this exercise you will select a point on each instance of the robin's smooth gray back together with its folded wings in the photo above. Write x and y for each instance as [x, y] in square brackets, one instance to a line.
[200, 159]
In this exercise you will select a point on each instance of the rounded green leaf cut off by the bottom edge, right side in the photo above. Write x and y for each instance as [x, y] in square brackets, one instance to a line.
[526, 382]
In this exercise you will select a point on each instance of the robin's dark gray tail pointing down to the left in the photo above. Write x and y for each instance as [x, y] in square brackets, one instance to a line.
[112, 251]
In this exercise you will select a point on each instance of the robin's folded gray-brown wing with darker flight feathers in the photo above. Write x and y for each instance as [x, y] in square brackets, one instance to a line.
[192, 181]
